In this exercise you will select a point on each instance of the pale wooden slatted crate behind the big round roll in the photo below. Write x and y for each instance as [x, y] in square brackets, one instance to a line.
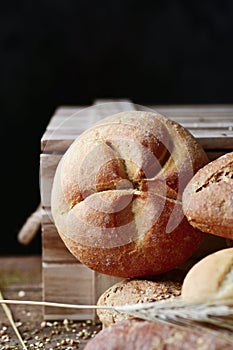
[64, 278]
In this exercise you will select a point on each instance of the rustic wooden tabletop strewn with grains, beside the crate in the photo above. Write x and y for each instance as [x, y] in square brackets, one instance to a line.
[20, 278]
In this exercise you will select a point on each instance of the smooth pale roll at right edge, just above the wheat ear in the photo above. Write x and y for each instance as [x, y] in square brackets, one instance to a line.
[211, 279]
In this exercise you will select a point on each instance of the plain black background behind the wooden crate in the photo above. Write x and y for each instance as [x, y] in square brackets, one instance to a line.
[70, 52]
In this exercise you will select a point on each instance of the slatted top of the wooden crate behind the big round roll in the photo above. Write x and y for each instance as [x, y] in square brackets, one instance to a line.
[204, 122]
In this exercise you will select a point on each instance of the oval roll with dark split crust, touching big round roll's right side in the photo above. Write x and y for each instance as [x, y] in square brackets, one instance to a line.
[208, 198]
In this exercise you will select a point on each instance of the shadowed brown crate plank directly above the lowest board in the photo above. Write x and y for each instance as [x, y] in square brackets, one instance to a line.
[53, 248]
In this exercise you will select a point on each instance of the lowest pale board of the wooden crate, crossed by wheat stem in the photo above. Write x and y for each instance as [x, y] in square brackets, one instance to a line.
[74, 284]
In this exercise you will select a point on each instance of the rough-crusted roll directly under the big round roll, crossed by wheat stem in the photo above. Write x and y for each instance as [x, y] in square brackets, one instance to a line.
[133, 291]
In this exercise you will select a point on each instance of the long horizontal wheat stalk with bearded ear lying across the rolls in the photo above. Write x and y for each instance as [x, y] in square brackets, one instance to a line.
[171, 311]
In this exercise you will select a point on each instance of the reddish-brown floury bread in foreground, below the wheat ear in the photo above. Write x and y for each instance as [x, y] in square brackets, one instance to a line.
[139, 335]
